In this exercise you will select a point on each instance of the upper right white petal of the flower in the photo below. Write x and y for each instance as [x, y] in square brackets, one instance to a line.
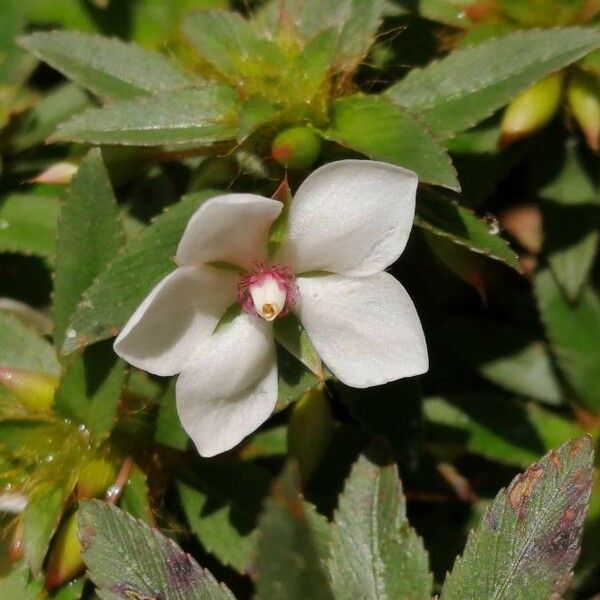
[351, 217]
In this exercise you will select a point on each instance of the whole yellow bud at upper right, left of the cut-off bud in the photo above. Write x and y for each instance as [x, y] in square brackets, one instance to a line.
[531, 110]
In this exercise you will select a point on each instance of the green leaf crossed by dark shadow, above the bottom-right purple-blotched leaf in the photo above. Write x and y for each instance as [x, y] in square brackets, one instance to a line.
[496, 426]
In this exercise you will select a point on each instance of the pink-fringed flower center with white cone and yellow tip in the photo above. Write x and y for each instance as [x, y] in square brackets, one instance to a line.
[267, 291]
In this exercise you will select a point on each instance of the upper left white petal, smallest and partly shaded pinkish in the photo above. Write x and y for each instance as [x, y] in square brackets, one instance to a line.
[232, 228]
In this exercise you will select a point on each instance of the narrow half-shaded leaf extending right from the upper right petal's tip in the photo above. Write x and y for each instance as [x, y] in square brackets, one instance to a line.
[448, 219]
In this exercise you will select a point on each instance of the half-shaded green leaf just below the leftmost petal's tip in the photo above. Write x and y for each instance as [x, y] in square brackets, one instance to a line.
[90, 390]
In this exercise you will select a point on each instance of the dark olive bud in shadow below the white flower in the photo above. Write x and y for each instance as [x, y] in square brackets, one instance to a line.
[310, 430]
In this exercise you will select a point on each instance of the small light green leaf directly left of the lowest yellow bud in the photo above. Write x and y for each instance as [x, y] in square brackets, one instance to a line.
[40, 521]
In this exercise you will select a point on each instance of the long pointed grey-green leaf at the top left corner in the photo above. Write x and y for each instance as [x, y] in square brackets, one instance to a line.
[107, 67]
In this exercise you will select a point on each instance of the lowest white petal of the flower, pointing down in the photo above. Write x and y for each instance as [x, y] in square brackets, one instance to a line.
[232, 388]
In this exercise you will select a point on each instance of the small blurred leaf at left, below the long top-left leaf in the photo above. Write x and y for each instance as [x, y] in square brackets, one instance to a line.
[58, 105]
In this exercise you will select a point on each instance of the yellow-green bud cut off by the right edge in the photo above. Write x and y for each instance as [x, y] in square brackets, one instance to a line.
[583, 97]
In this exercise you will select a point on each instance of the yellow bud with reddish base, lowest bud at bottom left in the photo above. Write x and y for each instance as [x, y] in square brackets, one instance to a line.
[65, 560]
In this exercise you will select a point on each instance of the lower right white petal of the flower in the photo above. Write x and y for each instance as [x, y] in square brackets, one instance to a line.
[365, 329]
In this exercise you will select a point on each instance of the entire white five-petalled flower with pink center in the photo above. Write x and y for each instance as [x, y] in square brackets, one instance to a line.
[350, 219]
